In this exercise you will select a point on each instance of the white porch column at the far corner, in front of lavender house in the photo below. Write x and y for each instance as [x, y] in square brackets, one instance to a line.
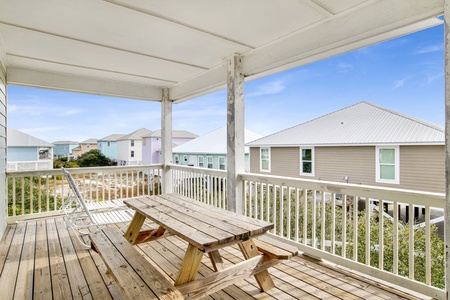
[166, 141]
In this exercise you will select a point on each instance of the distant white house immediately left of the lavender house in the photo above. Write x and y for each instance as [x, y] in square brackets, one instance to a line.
[129, 148]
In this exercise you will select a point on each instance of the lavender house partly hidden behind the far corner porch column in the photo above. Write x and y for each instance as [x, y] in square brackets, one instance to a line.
[151, 144]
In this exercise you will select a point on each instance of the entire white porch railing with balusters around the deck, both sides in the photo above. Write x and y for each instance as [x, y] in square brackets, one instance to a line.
[326, 220]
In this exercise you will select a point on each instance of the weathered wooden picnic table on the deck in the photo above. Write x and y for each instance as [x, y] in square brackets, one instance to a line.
[207, 229]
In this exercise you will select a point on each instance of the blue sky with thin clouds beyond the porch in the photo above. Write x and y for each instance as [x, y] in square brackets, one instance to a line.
[404, 74]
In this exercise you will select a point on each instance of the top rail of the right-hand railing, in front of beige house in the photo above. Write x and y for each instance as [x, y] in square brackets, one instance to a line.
[376, 192]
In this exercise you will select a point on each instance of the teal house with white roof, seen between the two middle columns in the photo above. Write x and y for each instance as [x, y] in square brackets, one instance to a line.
[210, 150]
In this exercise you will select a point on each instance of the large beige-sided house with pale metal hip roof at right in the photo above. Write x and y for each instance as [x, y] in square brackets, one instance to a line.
[361, 144]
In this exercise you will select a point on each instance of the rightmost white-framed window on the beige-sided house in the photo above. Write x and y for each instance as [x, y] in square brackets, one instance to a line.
[388, 164]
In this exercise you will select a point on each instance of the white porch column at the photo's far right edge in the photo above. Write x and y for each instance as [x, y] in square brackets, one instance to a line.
[447, 141]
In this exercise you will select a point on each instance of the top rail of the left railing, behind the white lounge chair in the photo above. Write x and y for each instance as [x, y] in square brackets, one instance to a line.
[82, 170]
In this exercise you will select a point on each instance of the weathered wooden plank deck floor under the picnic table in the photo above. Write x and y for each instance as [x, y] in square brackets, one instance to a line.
[42, 260]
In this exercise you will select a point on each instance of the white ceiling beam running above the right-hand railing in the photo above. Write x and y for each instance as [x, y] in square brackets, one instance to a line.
[338, 35]
